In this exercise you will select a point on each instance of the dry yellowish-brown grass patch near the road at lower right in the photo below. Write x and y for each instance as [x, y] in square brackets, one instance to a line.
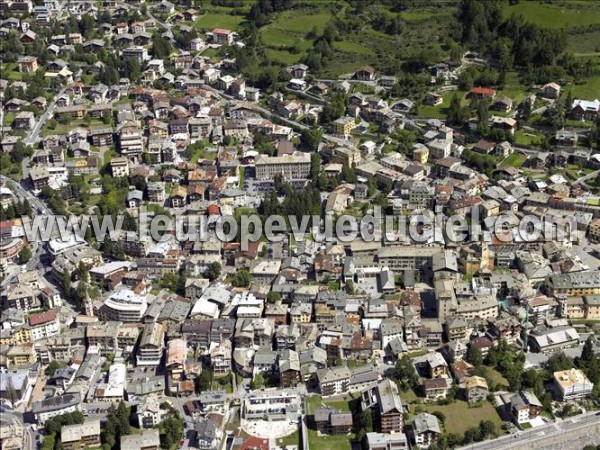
[459, 416]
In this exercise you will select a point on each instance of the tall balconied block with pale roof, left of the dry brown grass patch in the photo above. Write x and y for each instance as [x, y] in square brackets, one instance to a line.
[383, 400]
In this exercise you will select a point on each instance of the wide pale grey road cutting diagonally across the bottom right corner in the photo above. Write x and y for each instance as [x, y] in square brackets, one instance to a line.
[531, 437]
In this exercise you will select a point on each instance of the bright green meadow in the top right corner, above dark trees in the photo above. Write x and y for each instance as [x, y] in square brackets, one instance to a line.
[566, 14]
